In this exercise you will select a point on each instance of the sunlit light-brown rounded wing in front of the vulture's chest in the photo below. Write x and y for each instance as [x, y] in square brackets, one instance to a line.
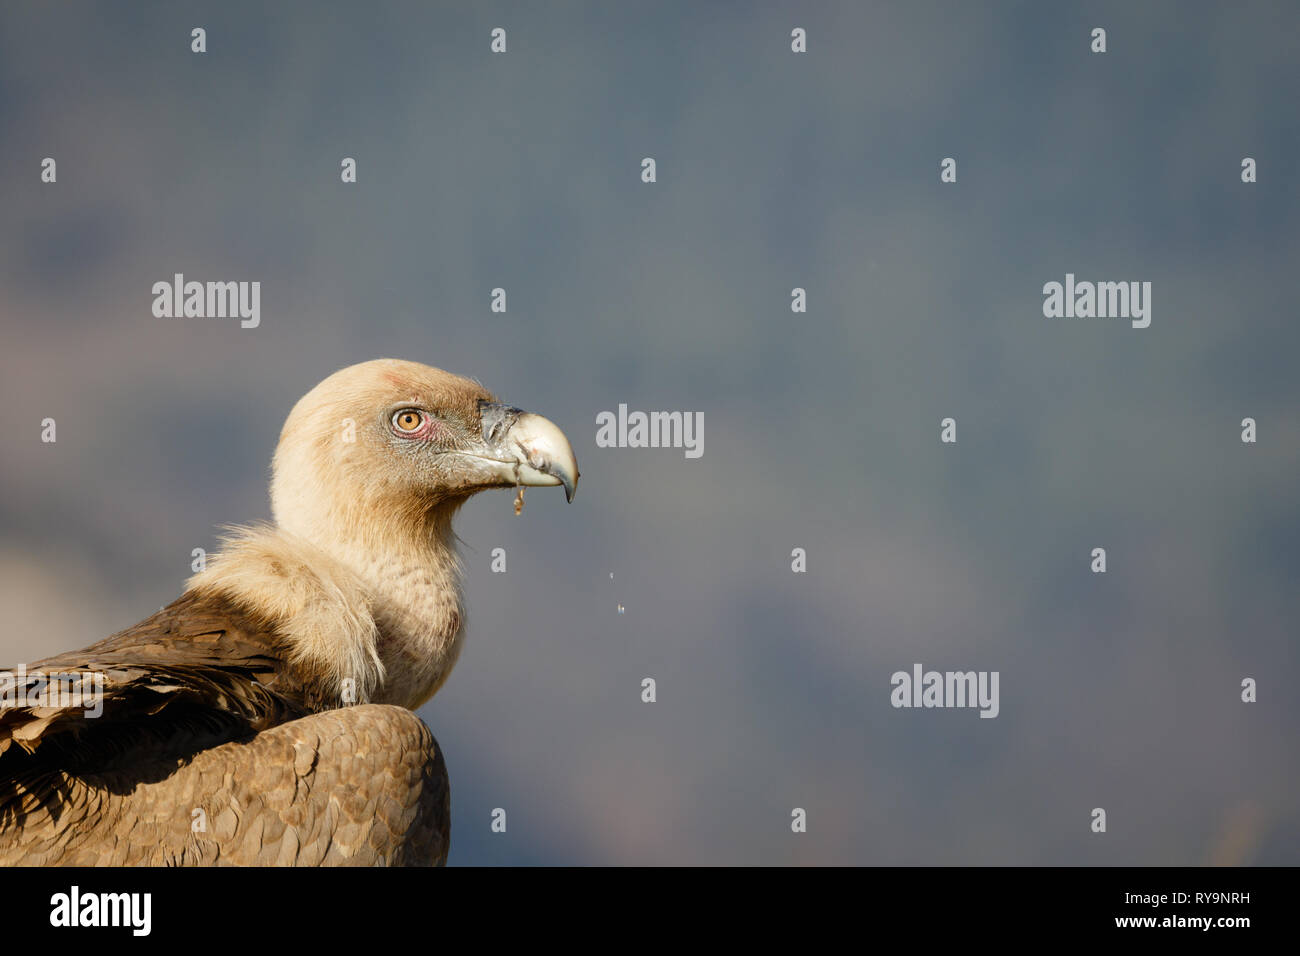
[358, 786]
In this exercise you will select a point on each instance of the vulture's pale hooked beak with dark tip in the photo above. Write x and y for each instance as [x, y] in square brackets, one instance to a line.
[526, 449]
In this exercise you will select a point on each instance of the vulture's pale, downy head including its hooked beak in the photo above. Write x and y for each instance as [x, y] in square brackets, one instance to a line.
[393, 444]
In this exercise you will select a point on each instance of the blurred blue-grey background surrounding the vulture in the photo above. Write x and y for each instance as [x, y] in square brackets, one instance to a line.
[775, 171]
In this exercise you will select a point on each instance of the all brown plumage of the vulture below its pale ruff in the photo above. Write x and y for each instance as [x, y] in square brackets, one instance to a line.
[205, 715]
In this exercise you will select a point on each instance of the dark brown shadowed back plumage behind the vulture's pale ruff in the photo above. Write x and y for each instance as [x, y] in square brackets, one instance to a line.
[200, 673]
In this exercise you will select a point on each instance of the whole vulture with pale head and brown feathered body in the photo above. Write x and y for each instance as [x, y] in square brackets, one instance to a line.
[266, 716]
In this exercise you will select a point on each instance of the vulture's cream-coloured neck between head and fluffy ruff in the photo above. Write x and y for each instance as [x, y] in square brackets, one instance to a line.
[411, 574]
